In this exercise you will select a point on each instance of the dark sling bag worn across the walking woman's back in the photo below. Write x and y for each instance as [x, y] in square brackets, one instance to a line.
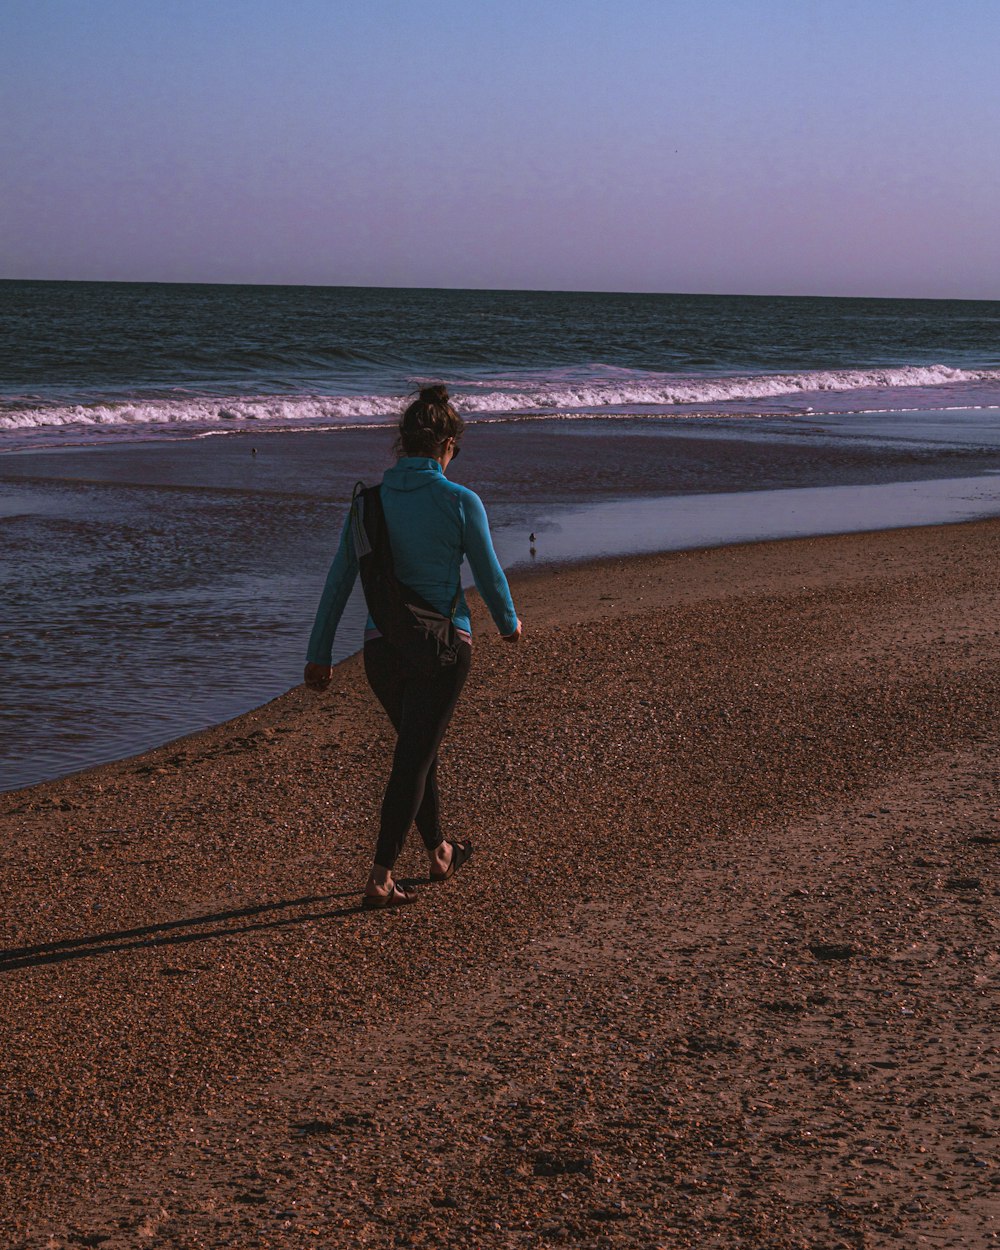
[423, 637]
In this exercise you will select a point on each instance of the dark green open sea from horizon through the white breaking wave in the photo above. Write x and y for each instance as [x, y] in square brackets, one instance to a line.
[98, 362]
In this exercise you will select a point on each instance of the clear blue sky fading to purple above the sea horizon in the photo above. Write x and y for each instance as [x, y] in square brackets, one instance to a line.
[741, 147]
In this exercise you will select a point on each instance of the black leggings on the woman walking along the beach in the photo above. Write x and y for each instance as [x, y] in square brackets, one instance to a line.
[421, 709]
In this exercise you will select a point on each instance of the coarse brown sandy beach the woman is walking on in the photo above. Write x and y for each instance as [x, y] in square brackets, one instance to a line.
[722, 973]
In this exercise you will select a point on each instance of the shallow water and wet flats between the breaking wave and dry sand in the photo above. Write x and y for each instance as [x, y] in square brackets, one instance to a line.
[193, 566]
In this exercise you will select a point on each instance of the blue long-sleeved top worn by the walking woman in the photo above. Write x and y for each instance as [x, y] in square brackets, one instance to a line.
[433, 526]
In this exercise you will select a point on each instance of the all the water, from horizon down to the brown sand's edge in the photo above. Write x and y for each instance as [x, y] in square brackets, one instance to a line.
[176, 461]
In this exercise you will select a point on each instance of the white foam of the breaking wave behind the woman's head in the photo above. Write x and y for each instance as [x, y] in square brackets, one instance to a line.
[543, 393]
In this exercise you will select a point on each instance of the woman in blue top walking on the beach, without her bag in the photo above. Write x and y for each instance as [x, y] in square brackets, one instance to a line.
[433, 524]
